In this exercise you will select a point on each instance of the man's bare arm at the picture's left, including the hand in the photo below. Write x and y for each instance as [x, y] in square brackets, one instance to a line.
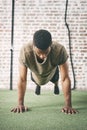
[21, 89]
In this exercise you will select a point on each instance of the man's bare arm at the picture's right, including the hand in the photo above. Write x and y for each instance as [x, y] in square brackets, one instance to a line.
[66, 86]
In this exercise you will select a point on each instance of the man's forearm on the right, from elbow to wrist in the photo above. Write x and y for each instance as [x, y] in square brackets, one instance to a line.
[66, 86]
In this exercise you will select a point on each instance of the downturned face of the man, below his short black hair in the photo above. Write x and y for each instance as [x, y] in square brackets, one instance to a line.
[40, 53]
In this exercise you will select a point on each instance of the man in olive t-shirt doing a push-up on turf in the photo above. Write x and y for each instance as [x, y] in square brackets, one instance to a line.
[43, 57]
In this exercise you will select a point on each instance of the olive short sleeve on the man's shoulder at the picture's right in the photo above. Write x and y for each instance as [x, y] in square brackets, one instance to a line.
[63, 56]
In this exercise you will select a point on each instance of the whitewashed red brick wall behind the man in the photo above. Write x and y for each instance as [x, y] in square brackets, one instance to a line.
[31, 15]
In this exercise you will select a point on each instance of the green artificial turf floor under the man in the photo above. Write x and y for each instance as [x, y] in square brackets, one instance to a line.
[45, 112]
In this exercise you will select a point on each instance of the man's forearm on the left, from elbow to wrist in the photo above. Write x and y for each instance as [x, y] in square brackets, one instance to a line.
[21, 92]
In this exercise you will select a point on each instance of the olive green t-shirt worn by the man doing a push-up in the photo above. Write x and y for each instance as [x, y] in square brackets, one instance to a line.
[43, 72]
